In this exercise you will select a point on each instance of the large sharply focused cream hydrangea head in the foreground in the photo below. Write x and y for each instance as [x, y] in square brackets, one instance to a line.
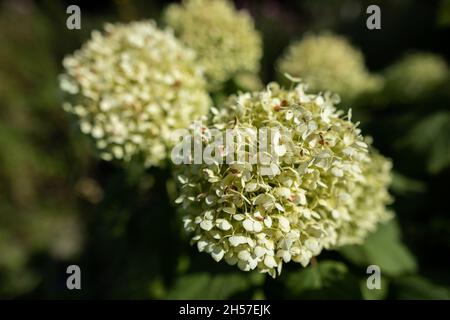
[317, 195]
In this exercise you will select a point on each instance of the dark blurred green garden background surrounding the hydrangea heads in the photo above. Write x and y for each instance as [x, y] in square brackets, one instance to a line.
[61, 205]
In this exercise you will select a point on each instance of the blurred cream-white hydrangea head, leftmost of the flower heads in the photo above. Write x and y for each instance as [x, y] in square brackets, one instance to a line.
[131, 86]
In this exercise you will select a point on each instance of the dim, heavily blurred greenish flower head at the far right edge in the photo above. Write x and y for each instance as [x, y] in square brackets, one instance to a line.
[416, 76]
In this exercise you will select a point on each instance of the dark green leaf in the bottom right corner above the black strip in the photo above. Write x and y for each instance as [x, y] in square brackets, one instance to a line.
[416, 287]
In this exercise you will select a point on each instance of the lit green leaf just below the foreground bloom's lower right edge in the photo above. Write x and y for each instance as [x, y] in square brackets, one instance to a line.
[383, 248]
